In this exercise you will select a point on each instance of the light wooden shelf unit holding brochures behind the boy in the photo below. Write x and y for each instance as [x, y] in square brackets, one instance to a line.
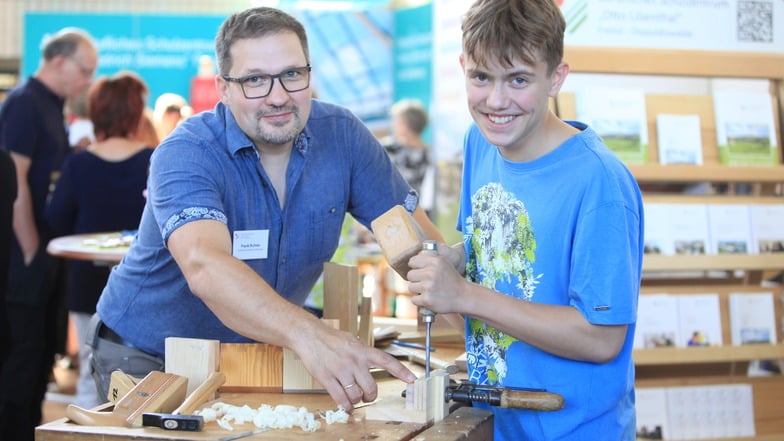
[722, 274]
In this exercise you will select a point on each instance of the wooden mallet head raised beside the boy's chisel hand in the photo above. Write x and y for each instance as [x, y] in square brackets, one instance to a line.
[399, 237]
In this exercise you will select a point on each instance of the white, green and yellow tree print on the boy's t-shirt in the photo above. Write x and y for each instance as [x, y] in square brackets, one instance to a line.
[501, 249]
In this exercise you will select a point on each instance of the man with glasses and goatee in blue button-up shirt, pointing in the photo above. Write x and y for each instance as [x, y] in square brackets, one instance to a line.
[245, 204]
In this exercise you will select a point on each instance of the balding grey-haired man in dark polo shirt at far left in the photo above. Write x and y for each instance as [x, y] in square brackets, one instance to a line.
[32, 129]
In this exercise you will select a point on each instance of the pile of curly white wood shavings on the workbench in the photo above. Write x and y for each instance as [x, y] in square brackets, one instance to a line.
[267, 417]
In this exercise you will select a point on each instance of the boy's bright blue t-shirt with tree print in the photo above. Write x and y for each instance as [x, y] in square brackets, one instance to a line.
[564, 229]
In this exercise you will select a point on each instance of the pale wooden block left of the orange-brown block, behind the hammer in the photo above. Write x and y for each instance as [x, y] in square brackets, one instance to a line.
[193, 358]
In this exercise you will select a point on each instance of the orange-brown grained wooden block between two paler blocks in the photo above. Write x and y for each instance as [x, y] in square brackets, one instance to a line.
[251, 367]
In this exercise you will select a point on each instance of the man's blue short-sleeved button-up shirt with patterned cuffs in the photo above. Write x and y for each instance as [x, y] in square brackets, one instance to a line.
[209, 169]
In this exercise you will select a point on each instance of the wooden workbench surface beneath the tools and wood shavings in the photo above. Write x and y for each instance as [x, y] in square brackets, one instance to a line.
[465, 424]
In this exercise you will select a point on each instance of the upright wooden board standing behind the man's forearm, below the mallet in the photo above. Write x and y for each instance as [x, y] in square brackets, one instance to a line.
[341, 295]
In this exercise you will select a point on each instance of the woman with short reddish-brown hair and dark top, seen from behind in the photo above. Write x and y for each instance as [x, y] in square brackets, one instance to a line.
[101, 190]
